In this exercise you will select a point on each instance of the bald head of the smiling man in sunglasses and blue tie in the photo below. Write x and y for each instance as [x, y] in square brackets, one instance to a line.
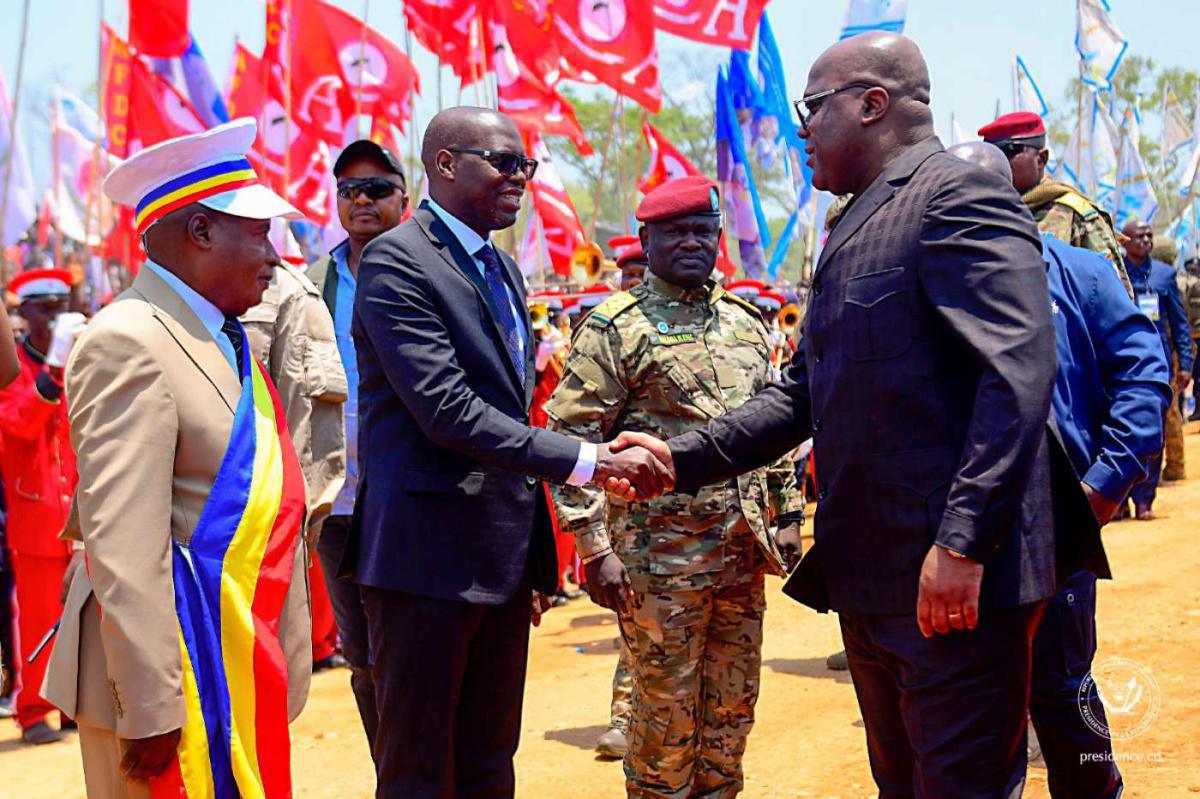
[465, 182]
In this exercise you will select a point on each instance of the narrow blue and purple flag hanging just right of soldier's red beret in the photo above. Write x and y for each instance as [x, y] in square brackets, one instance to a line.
[743, 207]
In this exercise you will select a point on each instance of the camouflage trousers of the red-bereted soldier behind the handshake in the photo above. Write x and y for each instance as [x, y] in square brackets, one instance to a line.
[697, 658]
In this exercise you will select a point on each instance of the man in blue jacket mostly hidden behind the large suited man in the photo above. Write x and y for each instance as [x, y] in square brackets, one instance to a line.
[1107, 414]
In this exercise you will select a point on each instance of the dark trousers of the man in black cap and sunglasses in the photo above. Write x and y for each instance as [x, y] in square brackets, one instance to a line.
[352, 622]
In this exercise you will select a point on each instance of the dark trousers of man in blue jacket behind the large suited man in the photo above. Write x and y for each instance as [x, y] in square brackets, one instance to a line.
[1079, 761]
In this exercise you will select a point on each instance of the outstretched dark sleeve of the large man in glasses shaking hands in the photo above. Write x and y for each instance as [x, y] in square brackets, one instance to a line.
[769, 425]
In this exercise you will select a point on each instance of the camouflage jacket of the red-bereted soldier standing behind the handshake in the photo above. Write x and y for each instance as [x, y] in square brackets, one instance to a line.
[664, 361]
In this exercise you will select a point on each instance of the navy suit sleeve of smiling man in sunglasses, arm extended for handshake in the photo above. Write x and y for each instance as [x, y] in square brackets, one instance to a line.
[398, 309]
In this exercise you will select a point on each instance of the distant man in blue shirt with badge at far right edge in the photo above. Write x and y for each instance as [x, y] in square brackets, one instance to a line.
[1159, 297]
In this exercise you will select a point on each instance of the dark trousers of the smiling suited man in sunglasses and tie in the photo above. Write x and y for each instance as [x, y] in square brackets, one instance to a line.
[449, 686]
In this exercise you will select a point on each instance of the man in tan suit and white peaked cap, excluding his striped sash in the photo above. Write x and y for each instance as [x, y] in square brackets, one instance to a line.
[154, 387]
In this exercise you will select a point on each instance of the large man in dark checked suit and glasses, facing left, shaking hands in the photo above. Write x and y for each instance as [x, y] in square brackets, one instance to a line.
[925, 376]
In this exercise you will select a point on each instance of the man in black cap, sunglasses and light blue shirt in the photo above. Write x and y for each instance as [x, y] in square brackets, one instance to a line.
[371, 200]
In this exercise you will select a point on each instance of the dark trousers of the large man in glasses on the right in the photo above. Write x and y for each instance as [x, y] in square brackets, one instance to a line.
[945, 717]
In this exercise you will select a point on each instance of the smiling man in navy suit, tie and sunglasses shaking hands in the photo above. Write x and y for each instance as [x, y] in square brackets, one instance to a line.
[452, 537]
